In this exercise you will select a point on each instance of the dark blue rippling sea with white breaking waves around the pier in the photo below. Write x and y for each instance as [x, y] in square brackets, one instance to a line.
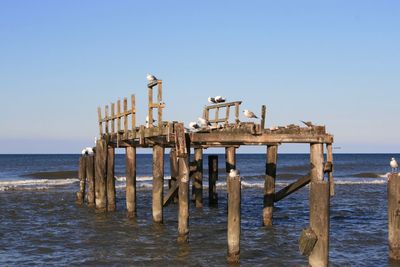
[40, 224]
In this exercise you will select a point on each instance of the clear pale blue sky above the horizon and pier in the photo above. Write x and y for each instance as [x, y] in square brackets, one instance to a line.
[335, 63]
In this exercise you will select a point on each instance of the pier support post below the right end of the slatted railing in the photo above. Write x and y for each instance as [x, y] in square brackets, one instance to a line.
[131, 181]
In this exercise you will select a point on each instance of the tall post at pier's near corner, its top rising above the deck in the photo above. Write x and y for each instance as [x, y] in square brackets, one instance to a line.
[183, 193]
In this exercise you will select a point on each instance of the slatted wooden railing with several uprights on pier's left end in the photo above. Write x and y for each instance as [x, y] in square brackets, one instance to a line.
[117, 116]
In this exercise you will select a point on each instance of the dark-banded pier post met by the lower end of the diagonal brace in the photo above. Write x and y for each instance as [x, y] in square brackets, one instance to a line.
[269, 184]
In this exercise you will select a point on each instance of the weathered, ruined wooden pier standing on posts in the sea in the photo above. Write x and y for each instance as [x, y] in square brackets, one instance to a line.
[118, 129]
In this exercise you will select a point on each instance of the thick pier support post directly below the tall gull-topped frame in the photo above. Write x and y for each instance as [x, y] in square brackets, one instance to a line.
[158, 183]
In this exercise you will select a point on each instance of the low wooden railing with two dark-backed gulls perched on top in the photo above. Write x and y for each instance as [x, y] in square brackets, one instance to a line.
[217, 108]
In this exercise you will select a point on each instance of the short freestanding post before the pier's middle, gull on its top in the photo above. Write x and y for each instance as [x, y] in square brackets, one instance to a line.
[233, 234]
